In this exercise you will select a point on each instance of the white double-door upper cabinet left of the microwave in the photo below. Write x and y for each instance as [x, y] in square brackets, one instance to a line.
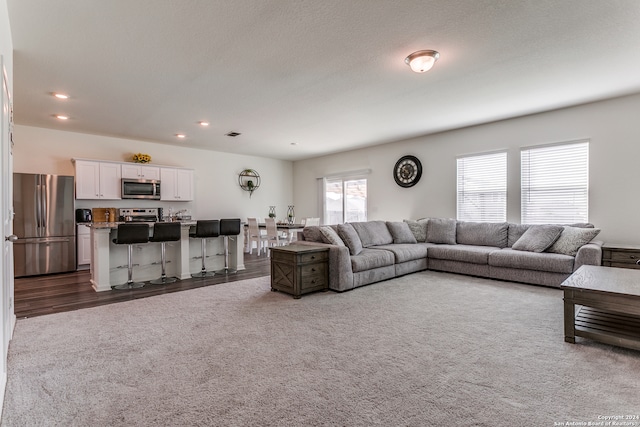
[97, 180]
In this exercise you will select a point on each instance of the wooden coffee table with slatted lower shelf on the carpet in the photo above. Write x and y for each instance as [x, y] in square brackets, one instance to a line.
[608, 305]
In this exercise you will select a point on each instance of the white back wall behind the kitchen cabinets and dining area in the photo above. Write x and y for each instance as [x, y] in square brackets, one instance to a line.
[217, 193]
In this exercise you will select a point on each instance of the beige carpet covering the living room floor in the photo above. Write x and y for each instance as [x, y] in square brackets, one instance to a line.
[428, 349]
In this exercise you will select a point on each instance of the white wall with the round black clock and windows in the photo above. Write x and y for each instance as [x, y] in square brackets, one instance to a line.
[612, 126]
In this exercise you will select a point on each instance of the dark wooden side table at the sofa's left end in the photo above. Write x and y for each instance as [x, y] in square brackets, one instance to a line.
[298, 269]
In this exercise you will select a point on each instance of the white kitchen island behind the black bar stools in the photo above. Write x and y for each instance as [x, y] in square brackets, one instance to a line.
[109, 261]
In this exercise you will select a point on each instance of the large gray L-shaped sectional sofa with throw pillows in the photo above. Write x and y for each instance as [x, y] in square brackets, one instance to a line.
[361, 253]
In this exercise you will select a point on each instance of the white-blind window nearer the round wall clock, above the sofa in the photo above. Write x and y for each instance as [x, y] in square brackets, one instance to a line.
[482, 188]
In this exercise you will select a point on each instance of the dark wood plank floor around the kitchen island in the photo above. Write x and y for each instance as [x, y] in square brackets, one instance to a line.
[54, 293]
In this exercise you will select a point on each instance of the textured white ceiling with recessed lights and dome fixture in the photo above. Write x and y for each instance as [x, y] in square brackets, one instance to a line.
[326, 75]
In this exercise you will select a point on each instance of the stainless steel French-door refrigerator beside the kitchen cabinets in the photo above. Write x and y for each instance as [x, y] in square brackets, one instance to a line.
[44, 223]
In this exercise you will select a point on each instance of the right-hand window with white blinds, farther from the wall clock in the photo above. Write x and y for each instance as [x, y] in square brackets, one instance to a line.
[555, 183]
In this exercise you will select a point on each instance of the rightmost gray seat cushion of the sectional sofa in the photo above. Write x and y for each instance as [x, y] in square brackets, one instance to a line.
[511, 258]
